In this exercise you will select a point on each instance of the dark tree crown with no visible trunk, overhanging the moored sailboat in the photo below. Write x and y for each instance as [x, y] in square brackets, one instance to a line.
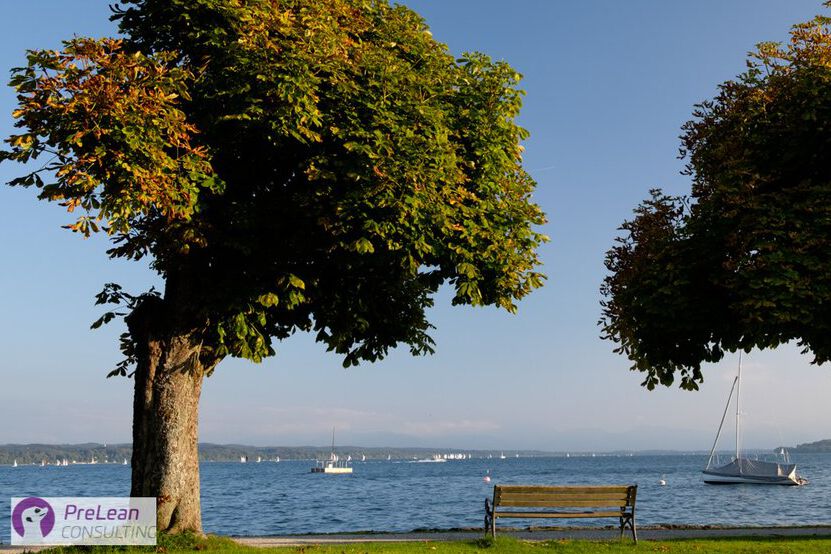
[744, 261]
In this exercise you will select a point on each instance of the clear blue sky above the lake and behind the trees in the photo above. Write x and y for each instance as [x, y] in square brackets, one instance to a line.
[608, 86]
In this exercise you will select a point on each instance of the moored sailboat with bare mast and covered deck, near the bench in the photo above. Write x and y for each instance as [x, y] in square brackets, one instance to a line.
[744, 470]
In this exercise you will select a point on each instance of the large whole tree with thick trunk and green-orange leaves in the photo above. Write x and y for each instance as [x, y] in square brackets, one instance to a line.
[286, 166]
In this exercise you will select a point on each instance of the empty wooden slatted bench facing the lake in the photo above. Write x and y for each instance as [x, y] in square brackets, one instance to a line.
[530, 501]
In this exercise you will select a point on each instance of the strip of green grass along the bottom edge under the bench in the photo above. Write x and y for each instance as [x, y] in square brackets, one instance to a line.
[502, 545]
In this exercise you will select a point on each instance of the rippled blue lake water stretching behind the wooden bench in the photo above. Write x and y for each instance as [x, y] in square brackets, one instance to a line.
[285, 498]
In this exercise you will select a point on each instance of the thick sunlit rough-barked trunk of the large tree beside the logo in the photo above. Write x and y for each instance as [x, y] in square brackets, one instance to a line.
[168, 383]
